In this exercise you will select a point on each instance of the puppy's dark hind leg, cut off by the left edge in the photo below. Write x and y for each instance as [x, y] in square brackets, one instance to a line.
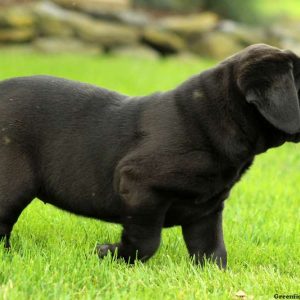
[17, 188]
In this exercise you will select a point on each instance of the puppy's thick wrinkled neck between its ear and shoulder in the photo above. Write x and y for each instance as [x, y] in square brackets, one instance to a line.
[213, 105]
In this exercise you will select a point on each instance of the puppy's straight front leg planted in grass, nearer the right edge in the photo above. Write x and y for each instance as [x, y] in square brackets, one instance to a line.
[204, 239]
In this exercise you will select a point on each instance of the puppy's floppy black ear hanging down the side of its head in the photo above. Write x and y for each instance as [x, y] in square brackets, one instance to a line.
[278, 102]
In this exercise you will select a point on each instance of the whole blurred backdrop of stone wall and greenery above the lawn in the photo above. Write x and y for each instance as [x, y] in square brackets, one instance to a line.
[148, 28]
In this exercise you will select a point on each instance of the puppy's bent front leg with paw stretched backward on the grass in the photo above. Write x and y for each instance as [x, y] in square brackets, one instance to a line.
[143, 218]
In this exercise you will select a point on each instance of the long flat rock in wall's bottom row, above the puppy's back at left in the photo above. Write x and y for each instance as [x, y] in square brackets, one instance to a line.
[54, 45]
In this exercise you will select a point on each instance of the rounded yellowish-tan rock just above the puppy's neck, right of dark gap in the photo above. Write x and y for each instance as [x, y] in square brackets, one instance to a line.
[216, 45]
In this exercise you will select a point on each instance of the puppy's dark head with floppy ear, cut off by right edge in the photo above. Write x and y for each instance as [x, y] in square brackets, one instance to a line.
[269, 78]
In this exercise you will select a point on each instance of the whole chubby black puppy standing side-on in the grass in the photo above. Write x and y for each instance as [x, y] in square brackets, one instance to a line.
[150, 162]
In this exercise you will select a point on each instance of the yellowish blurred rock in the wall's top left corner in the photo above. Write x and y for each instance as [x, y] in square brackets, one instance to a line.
[17, 17]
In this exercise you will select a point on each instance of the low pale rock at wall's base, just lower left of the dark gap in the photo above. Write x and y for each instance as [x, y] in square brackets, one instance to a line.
[140, 52]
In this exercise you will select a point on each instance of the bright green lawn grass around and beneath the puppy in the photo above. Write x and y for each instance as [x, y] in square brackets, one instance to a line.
[51, 256]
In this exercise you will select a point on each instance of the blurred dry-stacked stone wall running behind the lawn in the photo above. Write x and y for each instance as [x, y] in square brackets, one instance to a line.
[97, 26]
